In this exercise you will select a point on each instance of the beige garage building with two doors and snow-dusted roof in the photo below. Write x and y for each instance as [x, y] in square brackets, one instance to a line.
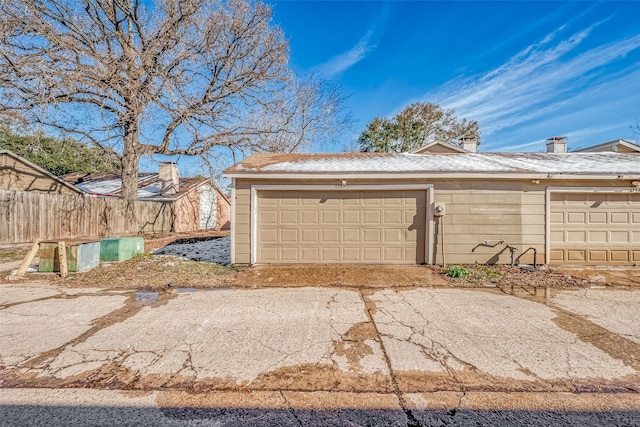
[437, 205]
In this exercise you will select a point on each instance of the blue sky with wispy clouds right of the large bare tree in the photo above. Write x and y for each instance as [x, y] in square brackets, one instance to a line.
[524, 70]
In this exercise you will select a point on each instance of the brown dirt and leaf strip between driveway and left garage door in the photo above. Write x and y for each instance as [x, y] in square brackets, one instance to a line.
[167, 271]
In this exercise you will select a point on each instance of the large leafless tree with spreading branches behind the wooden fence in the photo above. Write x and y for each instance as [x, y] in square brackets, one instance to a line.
[169, 77]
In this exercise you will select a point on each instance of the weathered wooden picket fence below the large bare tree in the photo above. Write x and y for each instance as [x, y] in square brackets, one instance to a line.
[27, 216]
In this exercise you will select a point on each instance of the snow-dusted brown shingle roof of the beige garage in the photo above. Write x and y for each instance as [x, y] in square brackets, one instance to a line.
[609, 164]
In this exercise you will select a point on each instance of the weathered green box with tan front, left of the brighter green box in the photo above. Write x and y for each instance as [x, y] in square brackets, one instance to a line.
[81, 256]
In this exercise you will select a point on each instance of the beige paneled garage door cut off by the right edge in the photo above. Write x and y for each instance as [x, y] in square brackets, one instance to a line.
[595, 228]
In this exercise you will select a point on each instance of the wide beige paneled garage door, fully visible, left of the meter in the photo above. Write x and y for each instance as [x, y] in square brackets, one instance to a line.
[360, 227]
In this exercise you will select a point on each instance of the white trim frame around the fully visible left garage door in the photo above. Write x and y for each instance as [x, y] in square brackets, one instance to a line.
[369, 187]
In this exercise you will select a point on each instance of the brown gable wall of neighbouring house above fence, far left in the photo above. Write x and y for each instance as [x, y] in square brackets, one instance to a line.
[18, 176]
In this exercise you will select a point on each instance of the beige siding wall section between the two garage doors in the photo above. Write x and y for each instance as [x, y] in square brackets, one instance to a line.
[480, 214]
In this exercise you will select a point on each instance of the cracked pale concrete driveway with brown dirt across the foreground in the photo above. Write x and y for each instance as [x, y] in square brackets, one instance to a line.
[408, 352]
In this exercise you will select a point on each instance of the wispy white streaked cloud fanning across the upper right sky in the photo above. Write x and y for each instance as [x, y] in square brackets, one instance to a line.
[537, 81]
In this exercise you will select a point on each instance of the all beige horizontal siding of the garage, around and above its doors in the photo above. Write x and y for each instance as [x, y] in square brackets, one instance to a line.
[476, 212]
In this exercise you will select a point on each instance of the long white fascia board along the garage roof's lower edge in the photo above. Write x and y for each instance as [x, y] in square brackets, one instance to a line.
[426, 175]
